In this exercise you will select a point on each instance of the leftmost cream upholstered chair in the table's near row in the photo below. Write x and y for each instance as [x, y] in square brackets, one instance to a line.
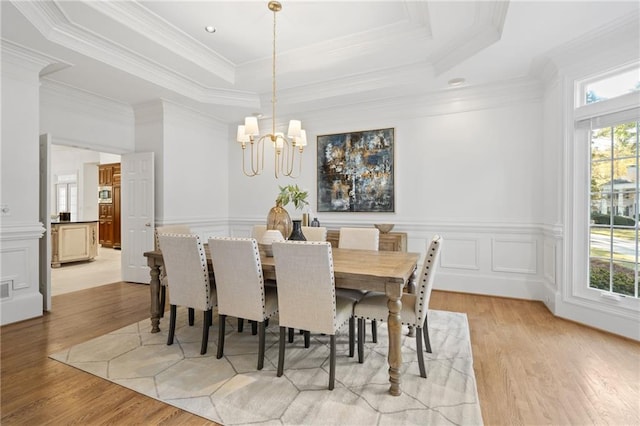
[186, 268]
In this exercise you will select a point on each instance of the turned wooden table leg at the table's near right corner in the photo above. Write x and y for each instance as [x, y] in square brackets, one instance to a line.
[394, 293]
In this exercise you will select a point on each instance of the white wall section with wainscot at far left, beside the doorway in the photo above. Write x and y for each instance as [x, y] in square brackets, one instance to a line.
[20, 229]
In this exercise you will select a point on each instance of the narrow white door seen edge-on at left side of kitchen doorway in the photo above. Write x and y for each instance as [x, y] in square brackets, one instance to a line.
[45, 219]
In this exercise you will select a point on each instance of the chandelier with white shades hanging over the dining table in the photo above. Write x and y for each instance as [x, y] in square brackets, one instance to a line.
[285, 146]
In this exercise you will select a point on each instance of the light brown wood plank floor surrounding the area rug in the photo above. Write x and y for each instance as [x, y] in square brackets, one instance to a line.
[531, 367]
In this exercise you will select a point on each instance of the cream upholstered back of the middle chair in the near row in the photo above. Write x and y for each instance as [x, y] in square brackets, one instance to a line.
[238, 274]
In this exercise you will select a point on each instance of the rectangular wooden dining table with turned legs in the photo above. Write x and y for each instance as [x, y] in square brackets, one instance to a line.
[389, 272]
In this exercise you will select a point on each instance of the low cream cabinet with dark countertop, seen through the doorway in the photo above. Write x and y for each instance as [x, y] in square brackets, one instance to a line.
[73, 241]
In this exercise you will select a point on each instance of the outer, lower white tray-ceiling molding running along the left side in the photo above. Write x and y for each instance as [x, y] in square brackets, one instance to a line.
[52, 23]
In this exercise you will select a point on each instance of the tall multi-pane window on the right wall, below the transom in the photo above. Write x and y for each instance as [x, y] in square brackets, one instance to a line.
[614, 178]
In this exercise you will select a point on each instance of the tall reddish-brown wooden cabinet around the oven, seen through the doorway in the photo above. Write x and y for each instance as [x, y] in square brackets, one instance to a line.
[109, 213]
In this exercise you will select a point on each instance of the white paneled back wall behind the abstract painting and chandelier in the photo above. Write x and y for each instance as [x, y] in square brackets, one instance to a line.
[469, 170]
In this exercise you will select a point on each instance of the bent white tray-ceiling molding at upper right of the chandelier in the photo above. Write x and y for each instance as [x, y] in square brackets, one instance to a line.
[486, 30]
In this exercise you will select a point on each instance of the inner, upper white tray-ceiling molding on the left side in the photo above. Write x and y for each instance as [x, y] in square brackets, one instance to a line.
[143, 21]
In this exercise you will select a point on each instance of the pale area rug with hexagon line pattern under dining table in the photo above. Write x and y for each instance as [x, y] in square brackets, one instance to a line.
[231, 391]
